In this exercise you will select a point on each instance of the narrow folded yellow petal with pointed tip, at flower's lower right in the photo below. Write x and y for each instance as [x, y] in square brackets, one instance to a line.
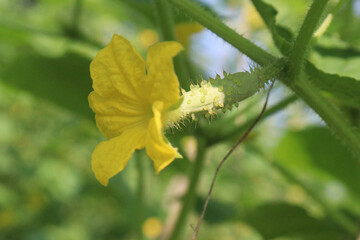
[160, 152]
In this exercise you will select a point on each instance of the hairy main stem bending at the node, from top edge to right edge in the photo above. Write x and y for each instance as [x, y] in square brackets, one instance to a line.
[297, 81]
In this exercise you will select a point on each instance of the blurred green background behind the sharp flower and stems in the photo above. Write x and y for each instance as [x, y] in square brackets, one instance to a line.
[291, 179]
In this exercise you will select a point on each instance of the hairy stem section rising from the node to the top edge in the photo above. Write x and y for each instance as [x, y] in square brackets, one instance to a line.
[302, 41]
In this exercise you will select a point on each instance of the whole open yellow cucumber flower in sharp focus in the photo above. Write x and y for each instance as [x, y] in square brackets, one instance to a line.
[131, 99]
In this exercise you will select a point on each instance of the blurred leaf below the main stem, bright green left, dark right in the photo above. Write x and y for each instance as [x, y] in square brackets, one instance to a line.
[318, 154]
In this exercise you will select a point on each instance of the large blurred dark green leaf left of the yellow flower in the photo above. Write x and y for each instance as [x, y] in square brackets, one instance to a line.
[65, 81]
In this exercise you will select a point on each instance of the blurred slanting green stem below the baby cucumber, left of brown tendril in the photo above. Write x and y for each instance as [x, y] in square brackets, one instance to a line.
[191, 191]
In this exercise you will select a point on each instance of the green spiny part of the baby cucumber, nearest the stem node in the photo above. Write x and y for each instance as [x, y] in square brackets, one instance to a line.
[238, 86]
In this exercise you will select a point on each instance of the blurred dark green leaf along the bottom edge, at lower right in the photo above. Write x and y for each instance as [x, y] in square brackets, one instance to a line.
[278, 219]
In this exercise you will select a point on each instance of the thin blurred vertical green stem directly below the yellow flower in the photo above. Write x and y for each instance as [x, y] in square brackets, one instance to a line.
[140, 206]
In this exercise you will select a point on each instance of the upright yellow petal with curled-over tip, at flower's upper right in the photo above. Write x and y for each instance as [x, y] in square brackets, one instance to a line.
[162, 81]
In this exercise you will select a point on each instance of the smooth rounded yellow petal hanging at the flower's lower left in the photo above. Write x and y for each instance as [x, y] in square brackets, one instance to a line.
[111, 157]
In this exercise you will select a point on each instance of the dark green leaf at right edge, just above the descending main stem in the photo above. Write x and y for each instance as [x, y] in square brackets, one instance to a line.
[346, 89]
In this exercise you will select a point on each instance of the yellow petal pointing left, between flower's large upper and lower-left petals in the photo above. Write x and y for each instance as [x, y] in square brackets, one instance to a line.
[114, 114]
